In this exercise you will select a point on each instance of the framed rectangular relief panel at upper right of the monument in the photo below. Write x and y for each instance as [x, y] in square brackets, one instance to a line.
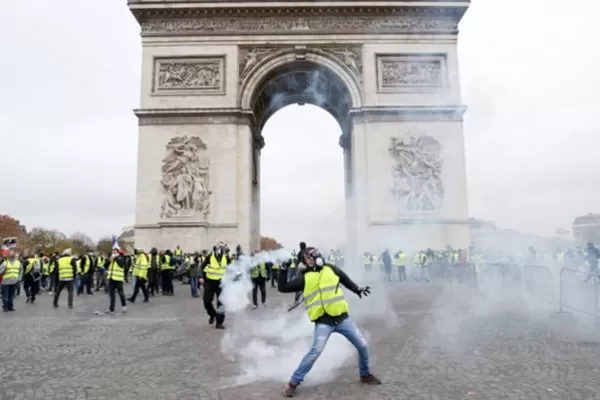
[398, 73]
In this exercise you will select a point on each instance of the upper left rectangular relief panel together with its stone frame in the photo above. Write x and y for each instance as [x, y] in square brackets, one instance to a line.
[200, 75]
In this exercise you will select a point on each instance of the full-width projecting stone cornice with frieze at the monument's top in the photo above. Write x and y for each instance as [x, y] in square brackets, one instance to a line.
[292, 19]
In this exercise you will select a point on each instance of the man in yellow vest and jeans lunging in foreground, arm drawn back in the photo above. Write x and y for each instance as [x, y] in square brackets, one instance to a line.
[328, 309]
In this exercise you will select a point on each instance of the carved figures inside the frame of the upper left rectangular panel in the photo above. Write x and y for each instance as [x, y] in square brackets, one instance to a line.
[189, 74]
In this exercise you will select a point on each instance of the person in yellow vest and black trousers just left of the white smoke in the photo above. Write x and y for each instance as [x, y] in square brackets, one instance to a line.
[213, 269]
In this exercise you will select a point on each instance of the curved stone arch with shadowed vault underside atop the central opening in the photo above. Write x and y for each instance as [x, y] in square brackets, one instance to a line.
[273, 70]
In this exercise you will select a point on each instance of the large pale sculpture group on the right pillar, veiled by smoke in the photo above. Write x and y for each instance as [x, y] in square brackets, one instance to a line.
[417, 174]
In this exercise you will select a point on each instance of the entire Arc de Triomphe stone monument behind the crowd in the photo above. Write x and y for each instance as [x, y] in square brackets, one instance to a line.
[214, 72]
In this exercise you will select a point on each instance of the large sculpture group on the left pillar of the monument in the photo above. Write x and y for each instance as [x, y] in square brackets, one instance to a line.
[185, 178]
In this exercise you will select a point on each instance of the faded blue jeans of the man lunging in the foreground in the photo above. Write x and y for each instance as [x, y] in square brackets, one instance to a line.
[350, 331]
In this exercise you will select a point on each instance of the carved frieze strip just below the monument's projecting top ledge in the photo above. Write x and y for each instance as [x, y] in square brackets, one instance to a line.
[299, 22]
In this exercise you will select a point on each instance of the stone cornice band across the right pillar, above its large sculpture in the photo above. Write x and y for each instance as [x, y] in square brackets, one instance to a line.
[408, 113]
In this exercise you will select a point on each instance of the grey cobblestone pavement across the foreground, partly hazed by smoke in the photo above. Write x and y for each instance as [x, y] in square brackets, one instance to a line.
[443, 348]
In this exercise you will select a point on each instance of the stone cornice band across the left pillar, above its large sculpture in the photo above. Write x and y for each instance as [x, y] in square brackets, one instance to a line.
[193, 116]
